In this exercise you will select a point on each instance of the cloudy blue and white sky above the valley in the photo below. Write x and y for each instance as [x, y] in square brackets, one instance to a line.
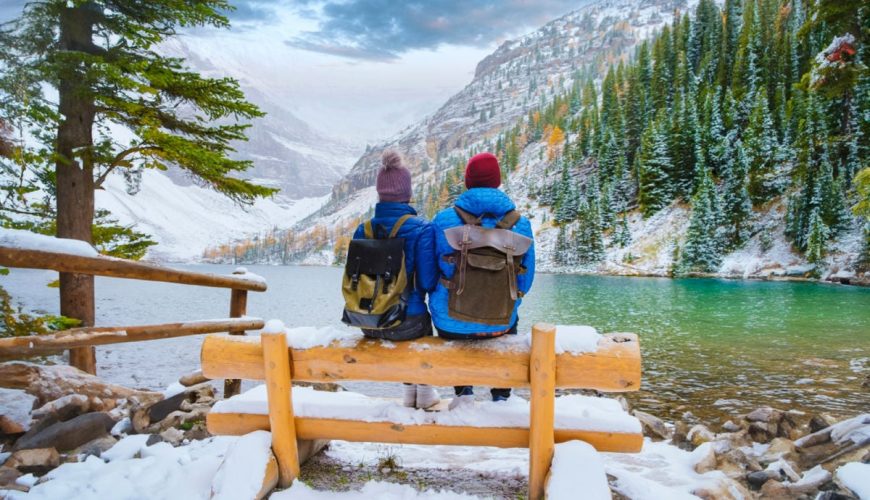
[361, 69]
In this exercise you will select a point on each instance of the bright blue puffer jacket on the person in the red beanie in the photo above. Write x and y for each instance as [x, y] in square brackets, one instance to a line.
[477, 201]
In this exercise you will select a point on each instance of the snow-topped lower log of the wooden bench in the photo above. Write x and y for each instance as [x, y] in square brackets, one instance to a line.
[352, 417]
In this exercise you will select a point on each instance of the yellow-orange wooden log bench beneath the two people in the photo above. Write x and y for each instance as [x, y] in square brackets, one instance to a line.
[615, 366]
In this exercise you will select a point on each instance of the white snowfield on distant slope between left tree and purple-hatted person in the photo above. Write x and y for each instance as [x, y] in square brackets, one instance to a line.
[185, 220]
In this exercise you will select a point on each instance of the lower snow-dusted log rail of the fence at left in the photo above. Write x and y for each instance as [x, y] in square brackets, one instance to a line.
[83, 337]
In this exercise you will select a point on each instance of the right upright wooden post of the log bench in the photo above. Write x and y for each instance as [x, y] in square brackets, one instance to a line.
[542, 394]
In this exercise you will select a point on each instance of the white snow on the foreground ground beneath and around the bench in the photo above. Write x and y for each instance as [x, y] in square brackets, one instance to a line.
[659, 472]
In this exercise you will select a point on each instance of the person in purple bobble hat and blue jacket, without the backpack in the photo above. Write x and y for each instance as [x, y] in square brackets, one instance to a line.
[394, 195]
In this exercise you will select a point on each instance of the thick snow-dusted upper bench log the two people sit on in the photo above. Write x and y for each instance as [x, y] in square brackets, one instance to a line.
[584, 358]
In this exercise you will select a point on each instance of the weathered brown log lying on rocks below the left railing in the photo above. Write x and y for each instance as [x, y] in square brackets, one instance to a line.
[48, 383]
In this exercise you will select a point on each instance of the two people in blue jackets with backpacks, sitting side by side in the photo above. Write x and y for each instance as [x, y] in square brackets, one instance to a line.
[475, 260]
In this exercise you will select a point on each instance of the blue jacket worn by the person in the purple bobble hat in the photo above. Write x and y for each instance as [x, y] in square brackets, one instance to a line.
[419, 249]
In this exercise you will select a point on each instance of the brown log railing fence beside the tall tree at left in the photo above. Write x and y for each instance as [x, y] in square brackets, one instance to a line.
[82, 340]
